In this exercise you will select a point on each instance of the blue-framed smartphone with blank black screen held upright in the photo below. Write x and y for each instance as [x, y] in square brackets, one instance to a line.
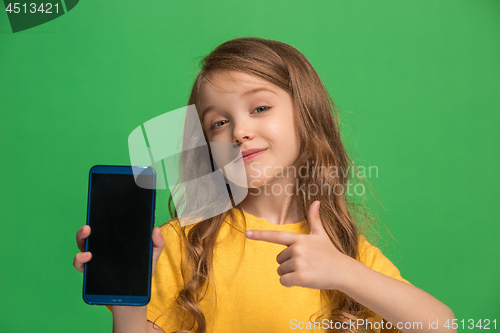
[120, 213]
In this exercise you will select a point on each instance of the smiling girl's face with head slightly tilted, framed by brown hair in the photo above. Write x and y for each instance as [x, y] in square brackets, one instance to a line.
[254, 114]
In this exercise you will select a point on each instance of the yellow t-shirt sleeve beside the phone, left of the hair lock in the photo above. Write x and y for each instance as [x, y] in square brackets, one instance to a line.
[167, 280]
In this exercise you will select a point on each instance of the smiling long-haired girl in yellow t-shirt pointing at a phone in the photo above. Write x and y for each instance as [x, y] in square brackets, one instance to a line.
[290, 255]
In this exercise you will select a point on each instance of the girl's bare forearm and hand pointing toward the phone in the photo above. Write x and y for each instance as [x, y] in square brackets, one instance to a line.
[312, 261]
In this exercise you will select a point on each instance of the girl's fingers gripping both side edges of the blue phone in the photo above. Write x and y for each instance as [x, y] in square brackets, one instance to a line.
[84, 257]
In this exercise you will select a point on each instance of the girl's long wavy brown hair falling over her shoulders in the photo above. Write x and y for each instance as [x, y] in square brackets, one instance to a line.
[317, 126]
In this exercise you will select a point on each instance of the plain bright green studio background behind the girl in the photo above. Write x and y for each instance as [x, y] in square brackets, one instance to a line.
[417, 83]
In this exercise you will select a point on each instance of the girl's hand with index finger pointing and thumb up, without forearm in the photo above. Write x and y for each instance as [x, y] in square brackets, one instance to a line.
[310, 261]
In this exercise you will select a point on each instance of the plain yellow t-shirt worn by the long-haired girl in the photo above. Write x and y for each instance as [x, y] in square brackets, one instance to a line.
[249, 296]
